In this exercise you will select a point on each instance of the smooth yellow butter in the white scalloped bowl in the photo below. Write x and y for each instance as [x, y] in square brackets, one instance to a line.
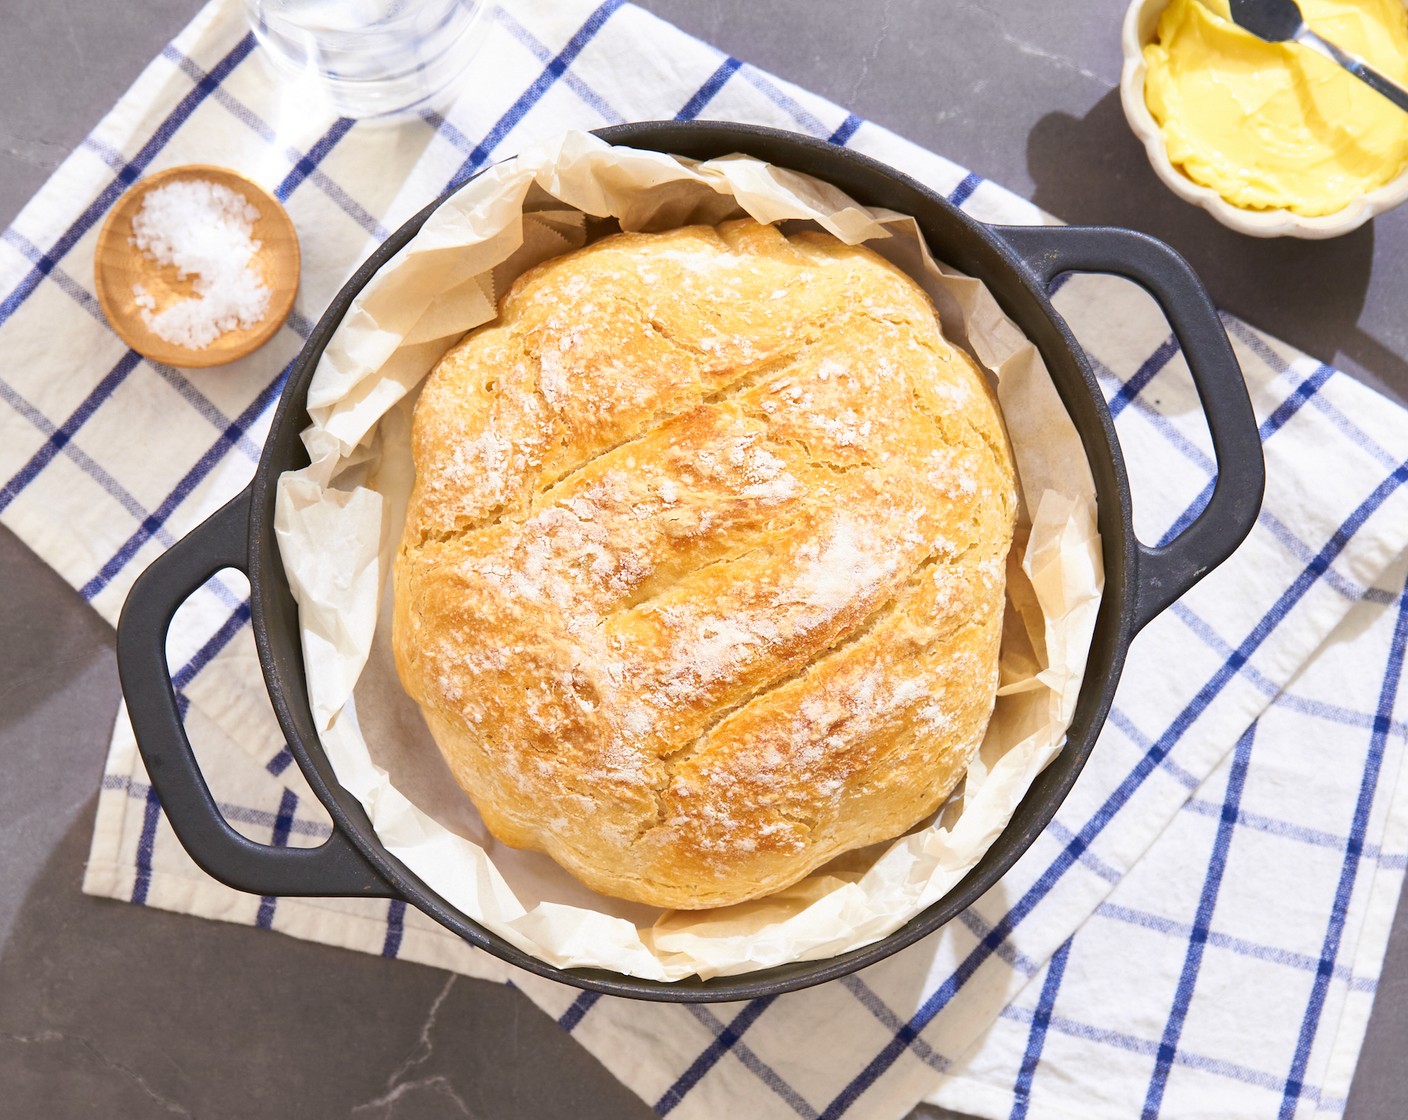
[1272, 126]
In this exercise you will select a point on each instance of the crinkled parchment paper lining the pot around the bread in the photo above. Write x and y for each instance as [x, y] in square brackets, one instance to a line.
[339, 523]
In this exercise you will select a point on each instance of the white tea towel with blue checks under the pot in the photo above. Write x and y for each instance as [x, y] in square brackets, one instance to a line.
[1206, 918]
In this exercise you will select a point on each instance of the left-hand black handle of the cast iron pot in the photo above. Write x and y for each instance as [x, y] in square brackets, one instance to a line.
[336, 869]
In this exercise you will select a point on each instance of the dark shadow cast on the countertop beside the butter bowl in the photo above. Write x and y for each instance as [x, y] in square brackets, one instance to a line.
[1093, 171]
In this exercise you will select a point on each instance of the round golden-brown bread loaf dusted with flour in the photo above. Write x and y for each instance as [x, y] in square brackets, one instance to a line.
[703, 574]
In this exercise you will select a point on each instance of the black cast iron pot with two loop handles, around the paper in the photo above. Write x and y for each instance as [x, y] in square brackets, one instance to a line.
[1016, 263]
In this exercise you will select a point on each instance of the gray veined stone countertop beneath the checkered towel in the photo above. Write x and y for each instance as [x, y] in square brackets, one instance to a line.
[123, 1012]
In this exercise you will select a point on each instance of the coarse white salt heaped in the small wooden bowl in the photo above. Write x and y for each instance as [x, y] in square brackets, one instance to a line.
[206, 230]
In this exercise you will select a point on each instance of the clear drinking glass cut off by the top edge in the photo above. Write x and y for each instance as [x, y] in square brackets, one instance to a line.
[371, 58]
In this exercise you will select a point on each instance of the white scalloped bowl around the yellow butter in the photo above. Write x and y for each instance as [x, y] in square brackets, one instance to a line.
[1141, 22]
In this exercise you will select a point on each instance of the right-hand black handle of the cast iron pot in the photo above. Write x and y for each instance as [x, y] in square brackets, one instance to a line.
[1164, 574]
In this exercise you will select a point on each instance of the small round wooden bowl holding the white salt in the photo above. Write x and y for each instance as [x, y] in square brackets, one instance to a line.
[119, 266]
